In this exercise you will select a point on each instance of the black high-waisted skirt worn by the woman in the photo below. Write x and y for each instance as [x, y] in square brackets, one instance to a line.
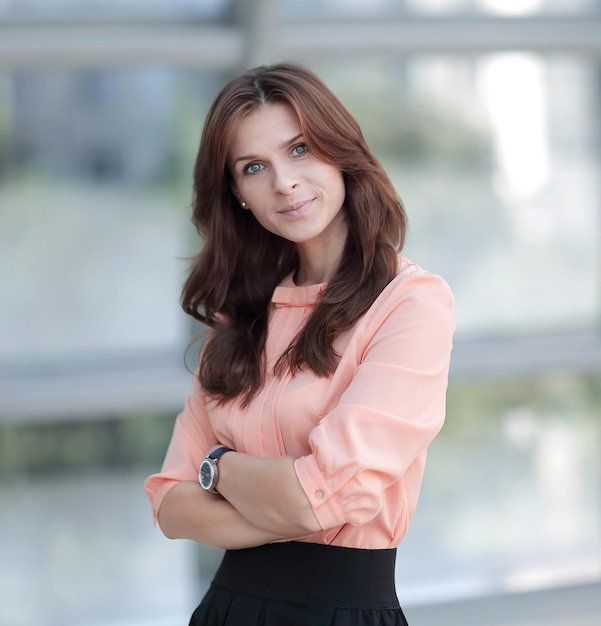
[302, 584]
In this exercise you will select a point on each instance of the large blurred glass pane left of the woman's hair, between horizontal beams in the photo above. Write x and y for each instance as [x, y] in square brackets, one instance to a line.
[95, 177]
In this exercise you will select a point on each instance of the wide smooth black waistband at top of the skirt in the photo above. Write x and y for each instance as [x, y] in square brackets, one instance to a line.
[312, 573]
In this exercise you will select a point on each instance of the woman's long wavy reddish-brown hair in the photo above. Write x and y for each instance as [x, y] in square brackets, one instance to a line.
[232, 279]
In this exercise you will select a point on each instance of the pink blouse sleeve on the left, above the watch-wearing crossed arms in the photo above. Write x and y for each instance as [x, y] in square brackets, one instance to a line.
[192, 437]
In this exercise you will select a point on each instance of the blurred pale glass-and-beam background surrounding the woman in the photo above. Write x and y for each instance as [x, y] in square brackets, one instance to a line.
[487, 116]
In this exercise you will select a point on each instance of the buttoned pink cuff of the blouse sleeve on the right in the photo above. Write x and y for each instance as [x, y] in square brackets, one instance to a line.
[322, 500]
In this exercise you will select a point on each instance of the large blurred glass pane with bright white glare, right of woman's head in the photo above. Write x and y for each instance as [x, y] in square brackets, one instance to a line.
[497, 159]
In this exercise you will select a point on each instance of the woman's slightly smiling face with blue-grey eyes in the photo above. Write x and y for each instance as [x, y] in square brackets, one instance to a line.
[290, 192]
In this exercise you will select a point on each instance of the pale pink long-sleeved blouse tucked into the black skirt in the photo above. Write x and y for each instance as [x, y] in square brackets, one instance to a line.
[360, 436]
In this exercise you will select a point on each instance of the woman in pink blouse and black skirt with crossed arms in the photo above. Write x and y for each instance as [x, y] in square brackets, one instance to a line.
[322, 382]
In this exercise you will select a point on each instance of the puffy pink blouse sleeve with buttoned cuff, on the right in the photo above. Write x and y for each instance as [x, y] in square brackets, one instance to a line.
[392, 407]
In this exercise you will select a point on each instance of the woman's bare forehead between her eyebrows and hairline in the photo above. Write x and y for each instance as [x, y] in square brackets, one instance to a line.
[264, 129]
